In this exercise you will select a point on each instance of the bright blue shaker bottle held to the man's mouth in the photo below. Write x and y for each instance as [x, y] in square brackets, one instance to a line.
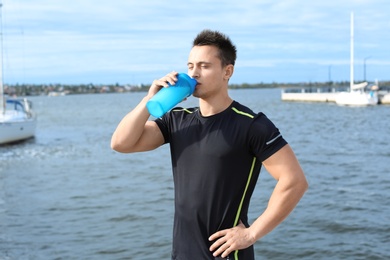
[167, 98]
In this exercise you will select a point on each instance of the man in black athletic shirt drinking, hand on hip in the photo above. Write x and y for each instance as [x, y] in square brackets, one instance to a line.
[217, 151]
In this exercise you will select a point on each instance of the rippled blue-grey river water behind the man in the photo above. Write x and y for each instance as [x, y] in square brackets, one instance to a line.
[67, 195]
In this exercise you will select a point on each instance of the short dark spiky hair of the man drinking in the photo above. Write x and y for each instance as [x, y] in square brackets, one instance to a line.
[227, 50]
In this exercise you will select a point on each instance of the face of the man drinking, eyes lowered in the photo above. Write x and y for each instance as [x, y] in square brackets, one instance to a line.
[205, 66]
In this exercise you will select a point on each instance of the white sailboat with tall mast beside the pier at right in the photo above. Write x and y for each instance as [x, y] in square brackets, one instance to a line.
[356, 96]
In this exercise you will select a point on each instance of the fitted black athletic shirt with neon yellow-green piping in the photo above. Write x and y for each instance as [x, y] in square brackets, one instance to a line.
[216, 162]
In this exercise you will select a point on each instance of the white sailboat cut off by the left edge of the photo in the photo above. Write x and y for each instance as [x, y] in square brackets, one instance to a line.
[17, 119]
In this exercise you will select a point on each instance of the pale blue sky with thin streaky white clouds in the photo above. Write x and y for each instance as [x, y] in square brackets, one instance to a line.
[135, 42]
